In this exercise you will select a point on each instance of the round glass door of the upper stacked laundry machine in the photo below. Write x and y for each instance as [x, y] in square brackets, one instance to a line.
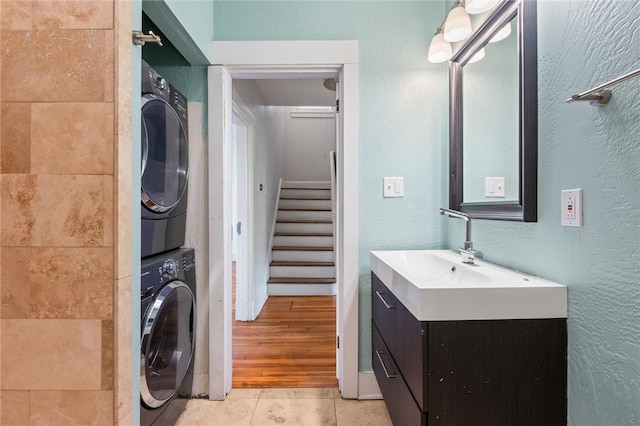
[165, 155]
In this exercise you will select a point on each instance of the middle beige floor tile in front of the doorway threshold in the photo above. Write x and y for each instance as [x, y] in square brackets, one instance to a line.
[294, 412]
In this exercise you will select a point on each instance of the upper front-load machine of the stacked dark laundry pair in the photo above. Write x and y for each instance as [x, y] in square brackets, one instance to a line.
[165, 164]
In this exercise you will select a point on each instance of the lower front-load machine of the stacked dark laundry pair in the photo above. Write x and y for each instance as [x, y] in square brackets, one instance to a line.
[168, 293]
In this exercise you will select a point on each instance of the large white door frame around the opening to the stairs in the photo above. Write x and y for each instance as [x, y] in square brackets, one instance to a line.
[288, 59]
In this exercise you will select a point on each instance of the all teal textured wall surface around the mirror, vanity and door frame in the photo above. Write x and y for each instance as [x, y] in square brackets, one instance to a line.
[403, 132]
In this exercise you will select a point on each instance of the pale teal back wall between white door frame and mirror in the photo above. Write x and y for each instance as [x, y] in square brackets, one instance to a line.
[403, 112]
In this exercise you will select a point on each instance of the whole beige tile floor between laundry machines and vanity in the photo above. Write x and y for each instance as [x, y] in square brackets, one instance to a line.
[249, 407]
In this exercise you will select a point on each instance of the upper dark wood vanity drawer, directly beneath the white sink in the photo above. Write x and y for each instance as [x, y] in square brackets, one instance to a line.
[405, 336]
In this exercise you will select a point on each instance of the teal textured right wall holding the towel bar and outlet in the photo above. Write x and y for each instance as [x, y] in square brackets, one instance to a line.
[583, 44]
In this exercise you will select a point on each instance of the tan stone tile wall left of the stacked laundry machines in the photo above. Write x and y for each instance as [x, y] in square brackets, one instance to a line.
[64, 215]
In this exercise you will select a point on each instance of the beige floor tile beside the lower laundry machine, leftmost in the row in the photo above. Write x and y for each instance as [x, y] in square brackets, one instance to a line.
[231, 412]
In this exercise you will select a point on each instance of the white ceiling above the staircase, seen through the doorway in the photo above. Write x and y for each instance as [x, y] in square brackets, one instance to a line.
[296, 92]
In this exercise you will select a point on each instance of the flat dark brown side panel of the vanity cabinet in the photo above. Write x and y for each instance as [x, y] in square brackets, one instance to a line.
[506, 372]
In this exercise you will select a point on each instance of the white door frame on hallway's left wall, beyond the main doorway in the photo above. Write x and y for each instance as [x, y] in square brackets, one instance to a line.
[243, 167]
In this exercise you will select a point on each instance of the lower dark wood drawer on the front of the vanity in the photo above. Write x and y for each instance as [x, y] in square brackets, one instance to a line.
[402, 408]
